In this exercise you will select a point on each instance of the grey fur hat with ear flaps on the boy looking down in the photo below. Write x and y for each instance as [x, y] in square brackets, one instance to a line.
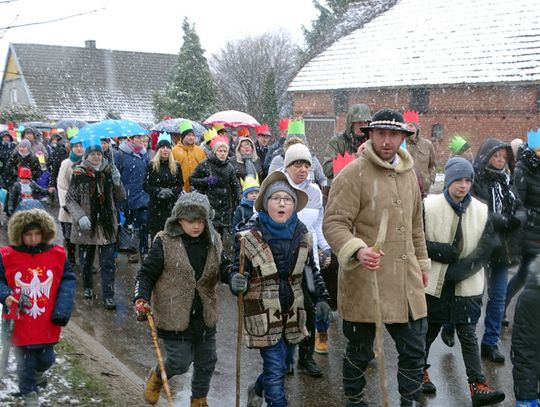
[192, 205]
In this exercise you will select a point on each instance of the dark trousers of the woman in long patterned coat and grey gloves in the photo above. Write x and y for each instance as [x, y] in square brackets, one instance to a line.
[106, 264]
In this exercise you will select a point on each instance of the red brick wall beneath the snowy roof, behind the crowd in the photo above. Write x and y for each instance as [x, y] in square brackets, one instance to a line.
[504, 112]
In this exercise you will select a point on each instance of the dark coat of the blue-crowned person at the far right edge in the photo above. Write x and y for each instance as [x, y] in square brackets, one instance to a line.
[527, 183]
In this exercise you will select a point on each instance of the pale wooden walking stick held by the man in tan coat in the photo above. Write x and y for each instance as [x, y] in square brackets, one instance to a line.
[379, 348]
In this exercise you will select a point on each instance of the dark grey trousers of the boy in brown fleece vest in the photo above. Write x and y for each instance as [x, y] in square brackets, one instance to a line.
[180, 354]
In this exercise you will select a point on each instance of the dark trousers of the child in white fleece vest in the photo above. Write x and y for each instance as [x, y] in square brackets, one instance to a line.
[469, 349]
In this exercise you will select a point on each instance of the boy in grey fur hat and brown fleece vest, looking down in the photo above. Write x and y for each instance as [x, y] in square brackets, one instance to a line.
[180, 274]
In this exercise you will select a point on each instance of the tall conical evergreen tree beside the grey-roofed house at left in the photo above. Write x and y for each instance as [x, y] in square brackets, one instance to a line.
[192, 92]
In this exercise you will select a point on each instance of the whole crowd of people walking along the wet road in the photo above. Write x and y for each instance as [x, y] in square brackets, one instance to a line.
[367, 210]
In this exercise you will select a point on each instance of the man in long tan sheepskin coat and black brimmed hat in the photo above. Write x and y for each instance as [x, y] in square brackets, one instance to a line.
[381, 178]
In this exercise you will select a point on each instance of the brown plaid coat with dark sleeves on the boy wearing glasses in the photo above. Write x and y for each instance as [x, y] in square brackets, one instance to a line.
[267, 327]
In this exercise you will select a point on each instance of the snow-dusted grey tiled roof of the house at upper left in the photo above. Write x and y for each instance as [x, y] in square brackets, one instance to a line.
[86, 83]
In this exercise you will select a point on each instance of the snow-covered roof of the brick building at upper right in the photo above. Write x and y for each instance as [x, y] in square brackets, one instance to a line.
[436, 42]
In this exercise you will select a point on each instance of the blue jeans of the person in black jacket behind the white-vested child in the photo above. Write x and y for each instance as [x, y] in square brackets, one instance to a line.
[497, 280]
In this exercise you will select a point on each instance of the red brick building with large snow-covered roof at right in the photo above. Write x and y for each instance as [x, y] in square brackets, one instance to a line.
[468, 66]
